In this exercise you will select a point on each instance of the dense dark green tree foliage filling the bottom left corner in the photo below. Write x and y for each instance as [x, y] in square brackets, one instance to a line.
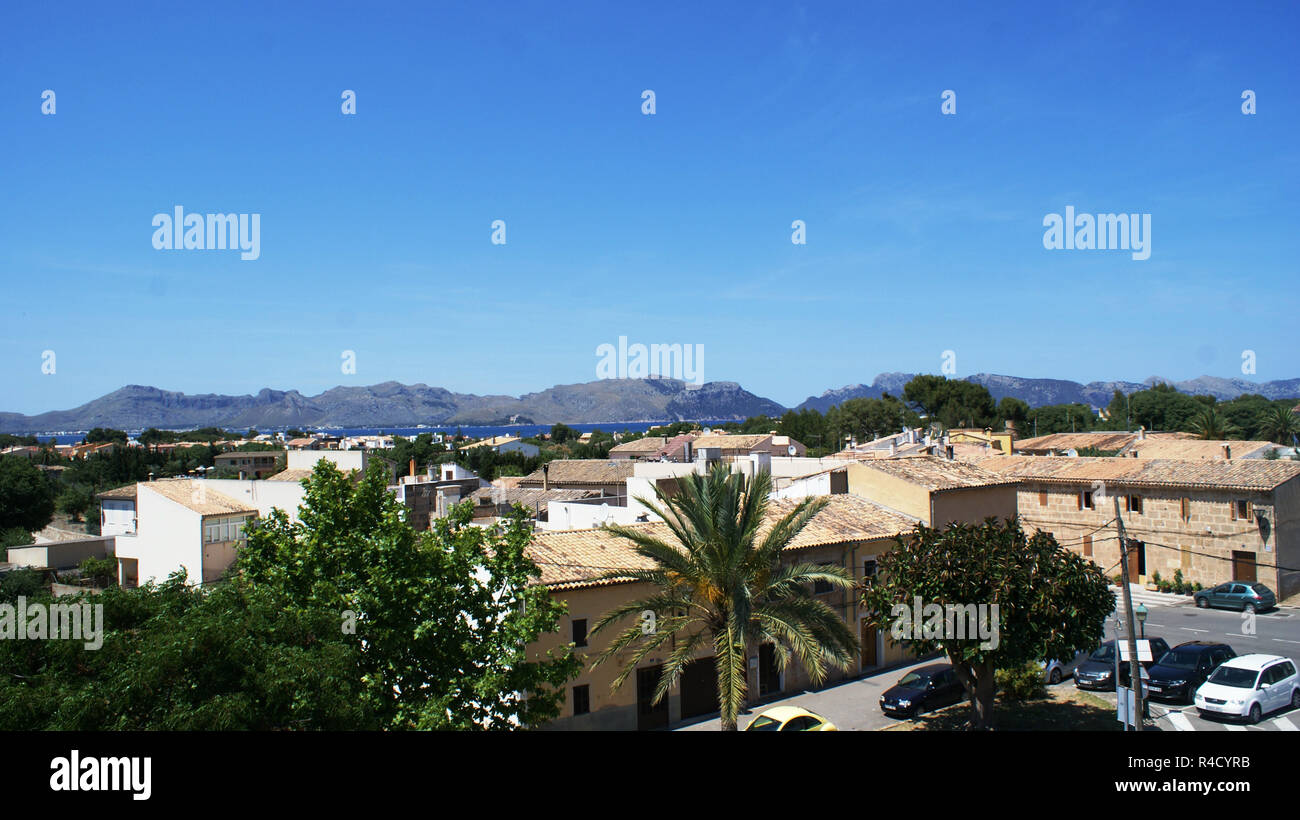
[183, 658]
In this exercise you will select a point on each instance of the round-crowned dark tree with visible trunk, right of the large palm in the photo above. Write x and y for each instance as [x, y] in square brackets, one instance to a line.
[1051, 602]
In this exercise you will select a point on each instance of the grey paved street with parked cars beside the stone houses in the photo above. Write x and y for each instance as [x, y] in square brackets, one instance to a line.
[856, 705]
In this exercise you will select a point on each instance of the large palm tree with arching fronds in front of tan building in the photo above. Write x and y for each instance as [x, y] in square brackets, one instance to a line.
[720, 583]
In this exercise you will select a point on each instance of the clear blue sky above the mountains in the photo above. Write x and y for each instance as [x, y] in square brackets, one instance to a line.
[925, 232]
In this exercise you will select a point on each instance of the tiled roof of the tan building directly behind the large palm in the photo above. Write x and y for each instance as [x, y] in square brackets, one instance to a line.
[573, 559]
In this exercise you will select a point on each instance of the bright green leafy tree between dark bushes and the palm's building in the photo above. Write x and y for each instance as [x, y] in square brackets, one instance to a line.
[440, 619]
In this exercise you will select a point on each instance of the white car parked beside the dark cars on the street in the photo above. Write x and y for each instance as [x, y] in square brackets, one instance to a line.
[1250, 687]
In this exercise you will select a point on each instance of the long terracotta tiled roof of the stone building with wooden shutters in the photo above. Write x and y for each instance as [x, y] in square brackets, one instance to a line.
[1236, 475]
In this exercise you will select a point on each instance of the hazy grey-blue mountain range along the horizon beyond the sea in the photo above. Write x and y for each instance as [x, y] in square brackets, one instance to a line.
[608, 401]
